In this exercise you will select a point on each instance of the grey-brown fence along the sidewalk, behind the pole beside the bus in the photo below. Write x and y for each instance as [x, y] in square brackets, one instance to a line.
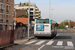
[22, 33]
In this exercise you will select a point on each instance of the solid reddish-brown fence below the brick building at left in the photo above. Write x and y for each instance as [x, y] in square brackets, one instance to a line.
[6, 37]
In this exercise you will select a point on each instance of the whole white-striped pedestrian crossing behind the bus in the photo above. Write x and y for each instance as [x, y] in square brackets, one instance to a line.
[55, 43]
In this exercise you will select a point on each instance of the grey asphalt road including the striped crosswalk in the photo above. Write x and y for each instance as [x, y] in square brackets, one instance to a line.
[63, 41]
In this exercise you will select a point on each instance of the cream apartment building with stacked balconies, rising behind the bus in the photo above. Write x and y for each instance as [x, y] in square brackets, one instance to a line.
[34, 10]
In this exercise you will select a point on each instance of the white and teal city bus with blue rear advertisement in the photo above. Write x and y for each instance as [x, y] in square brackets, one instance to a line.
[45, 28]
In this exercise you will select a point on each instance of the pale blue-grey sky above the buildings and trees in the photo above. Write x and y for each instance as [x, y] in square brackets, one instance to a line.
[63, 9]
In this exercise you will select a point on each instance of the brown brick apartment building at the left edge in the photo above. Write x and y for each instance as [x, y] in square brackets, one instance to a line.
[6, 14]
